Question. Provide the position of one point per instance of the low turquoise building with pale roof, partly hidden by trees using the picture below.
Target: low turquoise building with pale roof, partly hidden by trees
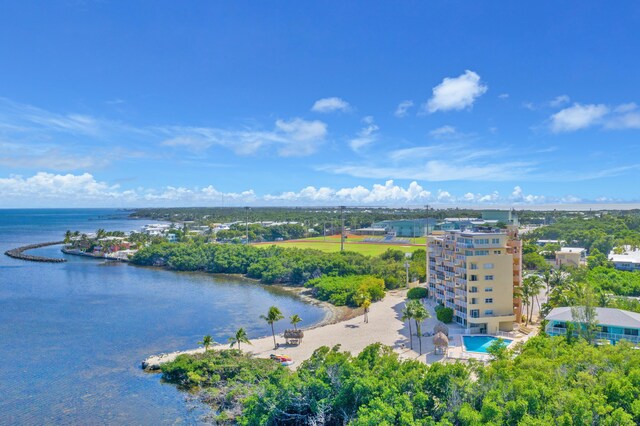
(613, 324)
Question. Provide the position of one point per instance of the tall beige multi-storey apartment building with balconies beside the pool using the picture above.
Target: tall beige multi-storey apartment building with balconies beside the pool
(474, 273)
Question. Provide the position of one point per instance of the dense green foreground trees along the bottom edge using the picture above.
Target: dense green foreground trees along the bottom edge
(546, 381)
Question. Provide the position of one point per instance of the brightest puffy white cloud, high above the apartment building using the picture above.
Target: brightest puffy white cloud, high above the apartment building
(456, 93)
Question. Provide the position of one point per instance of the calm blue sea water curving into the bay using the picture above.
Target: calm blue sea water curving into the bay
(72, 334)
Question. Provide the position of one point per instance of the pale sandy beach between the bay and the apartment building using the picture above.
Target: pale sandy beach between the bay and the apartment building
(352, 334)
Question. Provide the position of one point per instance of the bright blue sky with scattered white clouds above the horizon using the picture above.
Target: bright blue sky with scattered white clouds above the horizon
(298, 103)
